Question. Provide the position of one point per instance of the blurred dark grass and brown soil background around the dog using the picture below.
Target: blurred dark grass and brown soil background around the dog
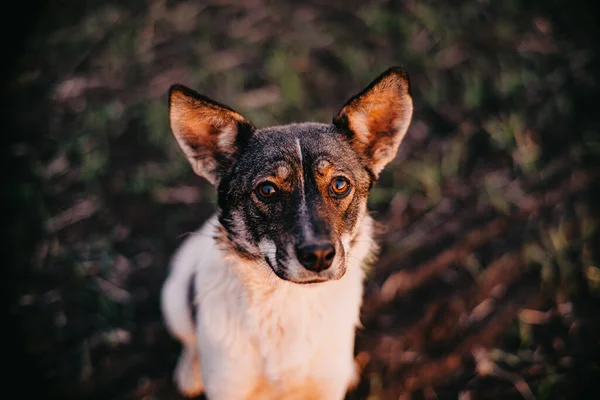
(488, 283)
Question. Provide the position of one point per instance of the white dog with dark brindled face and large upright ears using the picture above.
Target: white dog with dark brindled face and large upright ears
(278, 271)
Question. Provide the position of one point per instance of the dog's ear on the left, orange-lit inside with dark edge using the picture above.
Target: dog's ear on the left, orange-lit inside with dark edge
(210, 134)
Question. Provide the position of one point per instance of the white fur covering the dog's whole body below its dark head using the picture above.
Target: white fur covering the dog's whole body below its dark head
(261, 337)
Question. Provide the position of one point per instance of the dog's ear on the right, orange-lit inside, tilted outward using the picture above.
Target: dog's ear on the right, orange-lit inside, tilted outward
(376, 119)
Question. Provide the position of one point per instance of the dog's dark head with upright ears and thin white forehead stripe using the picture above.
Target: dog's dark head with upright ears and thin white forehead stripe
(293, 196)
